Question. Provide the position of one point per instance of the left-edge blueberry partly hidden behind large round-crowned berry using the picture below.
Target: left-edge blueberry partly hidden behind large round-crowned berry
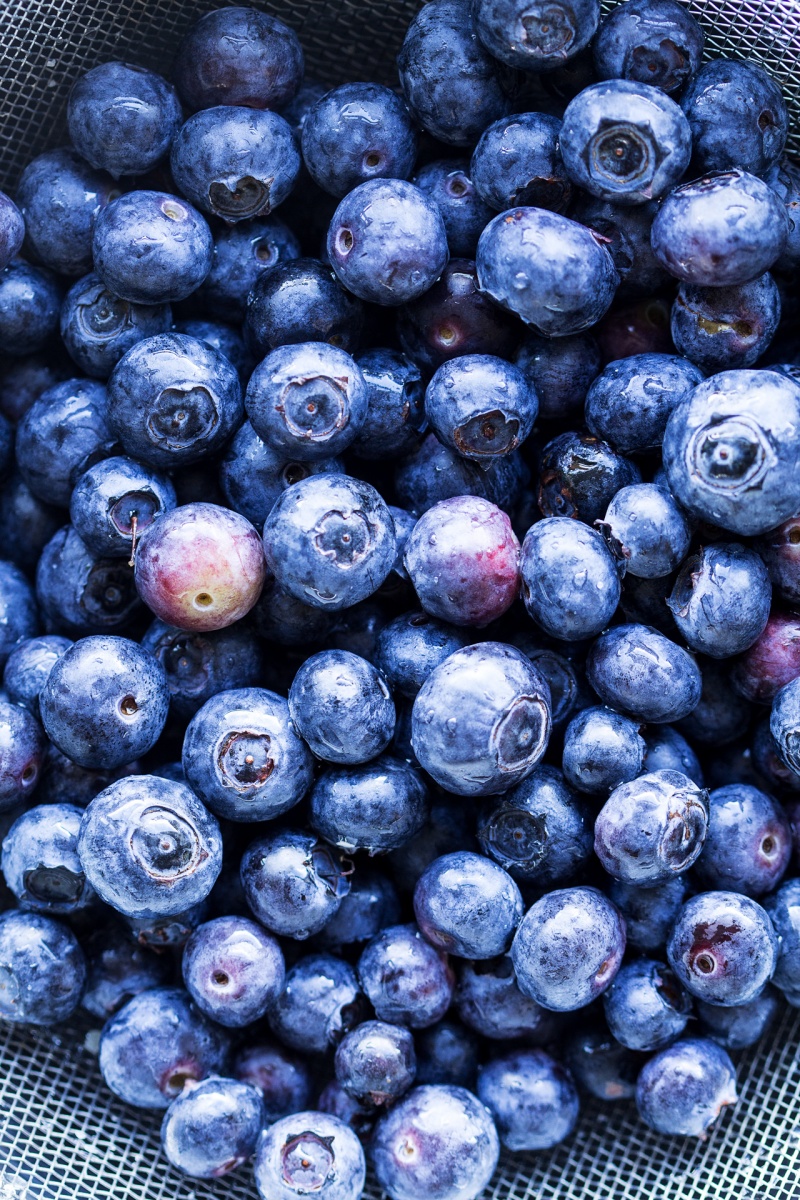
(40, 861)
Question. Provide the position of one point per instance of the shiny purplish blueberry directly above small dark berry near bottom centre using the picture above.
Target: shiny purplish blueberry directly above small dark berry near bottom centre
(406, 980)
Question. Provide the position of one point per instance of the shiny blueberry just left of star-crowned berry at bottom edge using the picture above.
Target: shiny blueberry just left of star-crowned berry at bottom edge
(213, 1127)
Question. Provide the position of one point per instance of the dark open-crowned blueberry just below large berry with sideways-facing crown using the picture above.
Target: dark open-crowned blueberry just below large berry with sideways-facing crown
(538, 831)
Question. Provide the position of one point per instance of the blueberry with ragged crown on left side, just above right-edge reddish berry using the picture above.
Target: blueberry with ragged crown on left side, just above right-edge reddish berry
(721, 599)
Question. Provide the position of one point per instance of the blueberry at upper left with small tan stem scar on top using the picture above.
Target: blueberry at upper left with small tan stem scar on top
(152, 248)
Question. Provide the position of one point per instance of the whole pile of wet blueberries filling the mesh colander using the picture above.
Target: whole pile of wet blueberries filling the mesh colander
(400, 599)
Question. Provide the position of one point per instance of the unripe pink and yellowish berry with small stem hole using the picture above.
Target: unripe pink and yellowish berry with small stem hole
(201, 568)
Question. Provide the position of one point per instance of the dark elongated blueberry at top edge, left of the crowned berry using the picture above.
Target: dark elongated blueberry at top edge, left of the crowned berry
(452, 86)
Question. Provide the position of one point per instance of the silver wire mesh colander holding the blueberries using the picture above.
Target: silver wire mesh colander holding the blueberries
(63, 1135)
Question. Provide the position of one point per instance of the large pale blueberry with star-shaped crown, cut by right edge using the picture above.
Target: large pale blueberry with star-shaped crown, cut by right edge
(731, 449)
